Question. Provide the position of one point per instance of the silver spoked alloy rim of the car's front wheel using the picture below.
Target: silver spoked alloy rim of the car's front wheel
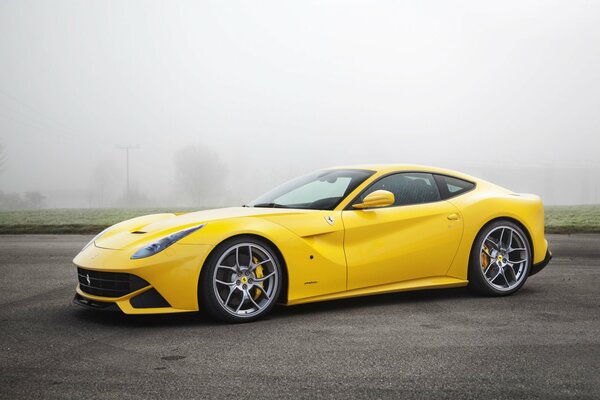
(245, 279)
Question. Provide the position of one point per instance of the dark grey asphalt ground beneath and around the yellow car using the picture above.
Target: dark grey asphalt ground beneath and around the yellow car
(543, 342)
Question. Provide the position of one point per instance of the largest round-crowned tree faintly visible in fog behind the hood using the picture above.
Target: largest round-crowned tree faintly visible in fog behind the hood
(200, 174)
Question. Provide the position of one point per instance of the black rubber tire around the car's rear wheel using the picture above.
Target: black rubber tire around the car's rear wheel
(477, 261)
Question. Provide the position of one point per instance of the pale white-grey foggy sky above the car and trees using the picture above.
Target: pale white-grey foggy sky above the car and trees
(508, 91)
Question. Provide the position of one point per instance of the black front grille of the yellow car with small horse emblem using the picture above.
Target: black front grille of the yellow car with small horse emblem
(108, 284)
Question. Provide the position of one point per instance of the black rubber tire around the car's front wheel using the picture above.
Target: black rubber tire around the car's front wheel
(208, 290)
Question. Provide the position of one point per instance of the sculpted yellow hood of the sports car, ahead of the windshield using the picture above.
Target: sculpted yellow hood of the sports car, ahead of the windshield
(141, 230)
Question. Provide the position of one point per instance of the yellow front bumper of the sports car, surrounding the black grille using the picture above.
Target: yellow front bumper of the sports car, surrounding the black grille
(170, 279)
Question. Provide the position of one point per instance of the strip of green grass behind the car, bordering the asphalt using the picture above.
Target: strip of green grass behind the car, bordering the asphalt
(559, 219)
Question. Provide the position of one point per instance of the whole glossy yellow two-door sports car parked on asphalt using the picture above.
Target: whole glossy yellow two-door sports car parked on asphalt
(336, 233)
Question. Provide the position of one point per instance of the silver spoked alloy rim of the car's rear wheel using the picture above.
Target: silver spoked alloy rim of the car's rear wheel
(504, 257)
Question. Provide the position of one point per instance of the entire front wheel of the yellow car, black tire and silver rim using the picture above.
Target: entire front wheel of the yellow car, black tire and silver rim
(241, 281)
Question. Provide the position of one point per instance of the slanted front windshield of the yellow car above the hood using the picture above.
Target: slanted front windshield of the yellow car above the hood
(321, 190)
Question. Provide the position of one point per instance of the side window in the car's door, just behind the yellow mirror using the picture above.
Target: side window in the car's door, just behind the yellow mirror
(408, 188)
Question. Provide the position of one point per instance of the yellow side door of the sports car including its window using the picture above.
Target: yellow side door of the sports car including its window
(416, 237)
